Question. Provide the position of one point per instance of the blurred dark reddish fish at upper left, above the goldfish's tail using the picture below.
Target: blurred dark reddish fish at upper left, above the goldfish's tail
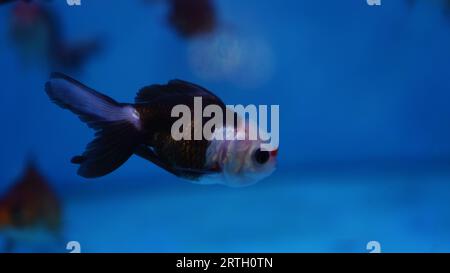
(36, 33)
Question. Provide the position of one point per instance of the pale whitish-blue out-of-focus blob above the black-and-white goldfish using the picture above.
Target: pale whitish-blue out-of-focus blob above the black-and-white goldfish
(230, 56)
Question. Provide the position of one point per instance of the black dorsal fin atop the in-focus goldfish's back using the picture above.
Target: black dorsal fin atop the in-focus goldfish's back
(172, 88)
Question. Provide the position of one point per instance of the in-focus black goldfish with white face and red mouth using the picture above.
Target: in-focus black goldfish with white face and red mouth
(144, 128)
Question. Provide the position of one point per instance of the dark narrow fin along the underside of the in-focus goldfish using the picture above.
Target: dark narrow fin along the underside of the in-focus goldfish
(147, 153)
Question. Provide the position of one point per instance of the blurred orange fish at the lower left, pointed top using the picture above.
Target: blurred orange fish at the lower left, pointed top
(30, 213)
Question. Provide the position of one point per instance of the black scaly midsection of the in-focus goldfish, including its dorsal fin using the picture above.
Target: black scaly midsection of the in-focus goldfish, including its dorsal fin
(155, 113)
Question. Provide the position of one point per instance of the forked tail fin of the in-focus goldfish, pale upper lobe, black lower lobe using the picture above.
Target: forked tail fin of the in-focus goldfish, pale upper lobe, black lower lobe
(117, 125)
